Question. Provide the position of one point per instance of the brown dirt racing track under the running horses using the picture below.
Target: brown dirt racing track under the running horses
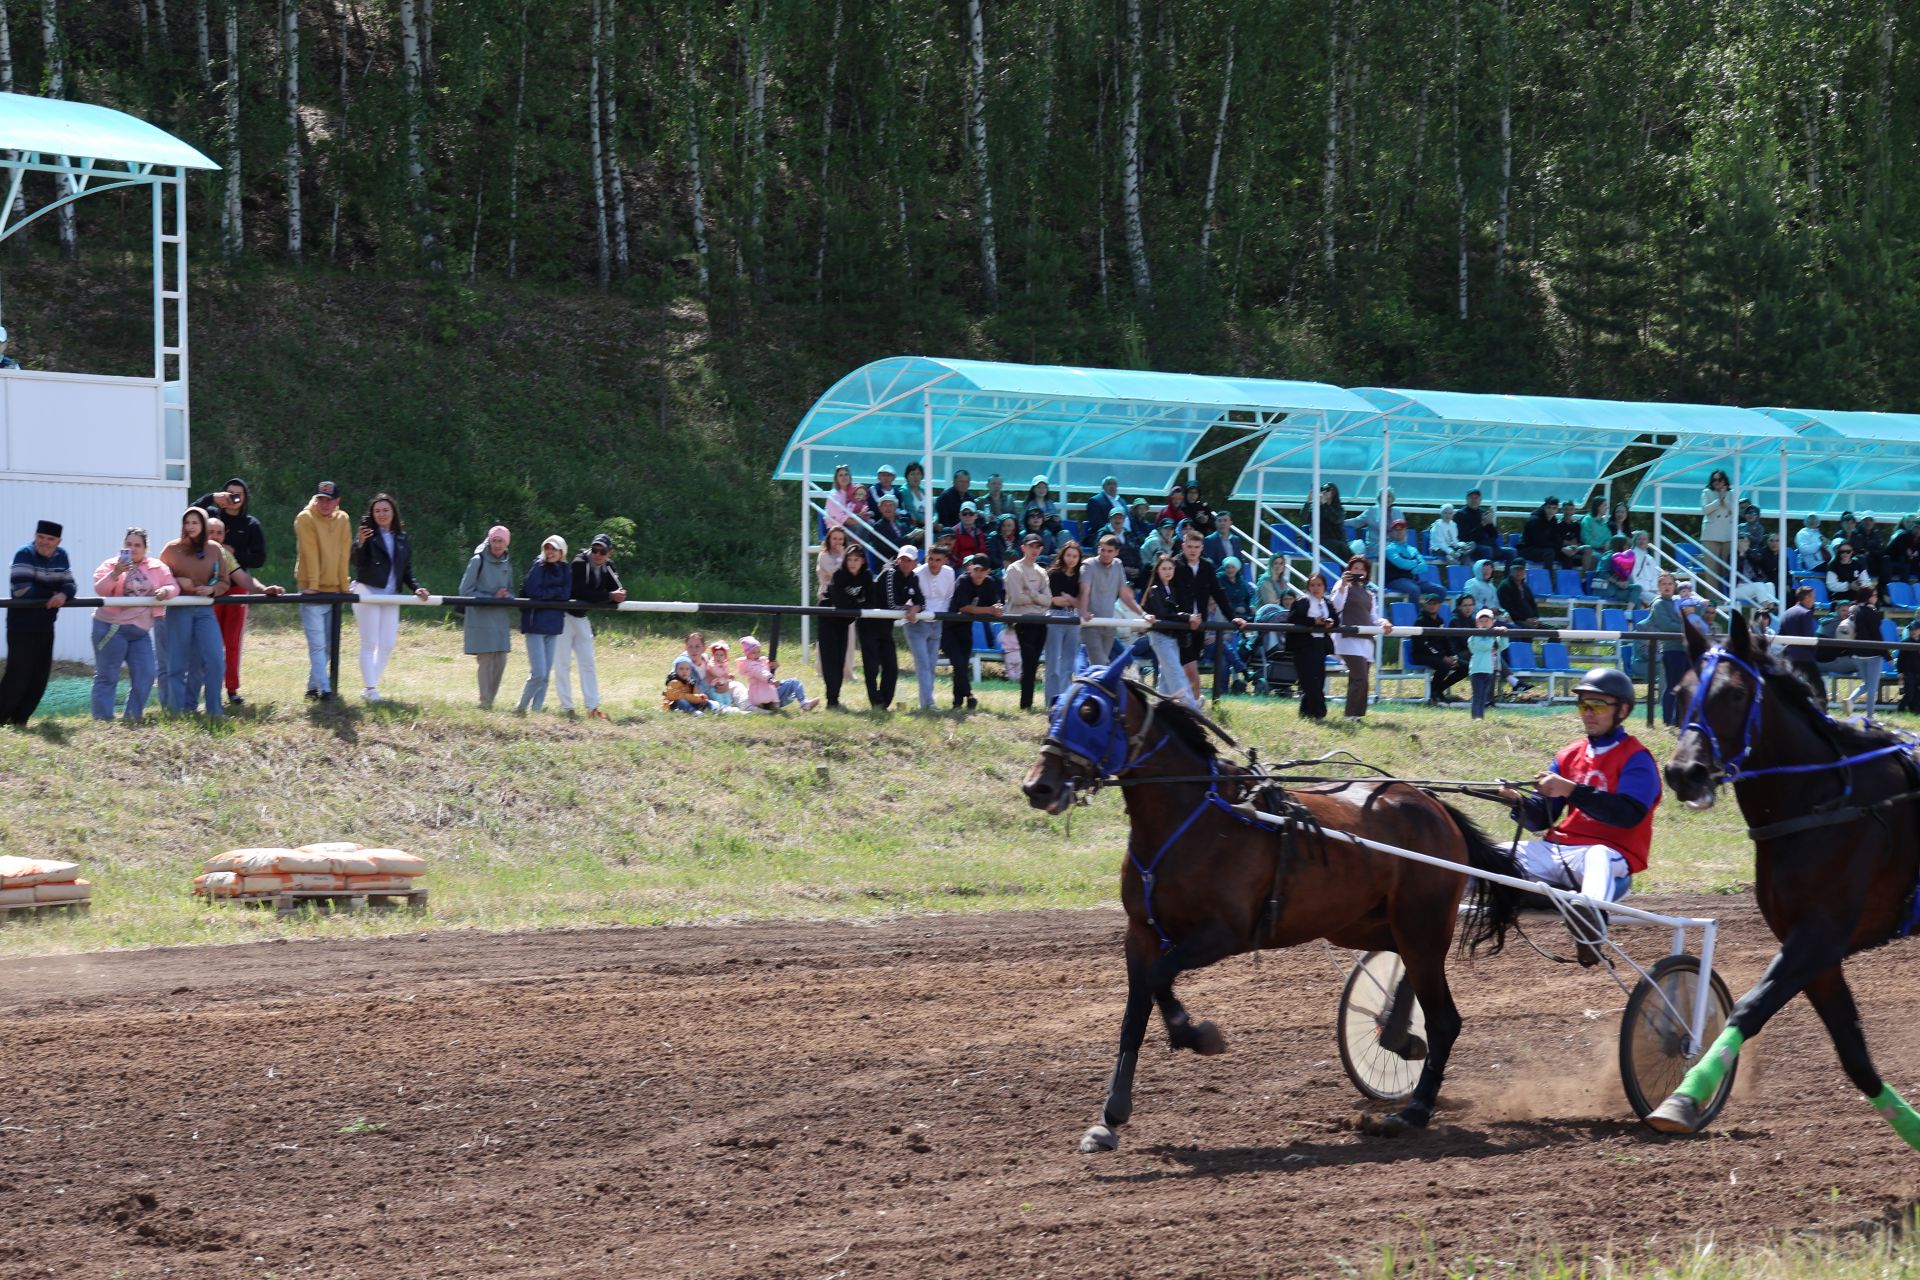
(896, 1101)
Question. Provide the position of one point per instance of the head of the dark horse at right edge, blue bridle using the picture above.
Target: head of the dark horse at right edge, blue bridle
(1723, 705)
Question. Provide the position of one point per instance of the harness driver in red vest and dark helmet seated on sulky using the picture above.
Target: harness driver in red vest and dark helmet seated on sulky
(1595, 805)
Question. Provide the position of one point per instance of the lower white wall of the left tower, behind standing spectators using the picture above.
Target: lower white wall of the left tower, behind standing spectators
(95, 515)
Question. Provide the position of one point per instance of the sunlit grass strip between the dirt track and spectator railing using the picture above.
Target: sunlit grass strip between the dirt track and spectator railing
(648, 818)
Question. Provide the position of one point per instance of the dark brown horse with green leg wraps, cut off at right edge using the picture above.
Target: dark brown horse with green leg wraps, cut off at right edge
(1835, 815)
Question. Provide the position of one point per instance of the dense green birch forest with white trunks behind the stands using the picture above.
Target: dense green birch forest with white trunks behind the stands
(1643, 199)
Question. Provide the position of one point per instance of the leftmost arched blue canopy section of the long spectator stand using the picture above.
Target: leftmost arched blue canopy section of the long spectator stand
(1072, 425)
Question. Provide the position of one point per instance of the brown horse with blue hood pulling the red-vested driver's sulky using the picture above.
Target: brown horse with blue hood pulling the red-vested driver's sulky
(1207, 880)
